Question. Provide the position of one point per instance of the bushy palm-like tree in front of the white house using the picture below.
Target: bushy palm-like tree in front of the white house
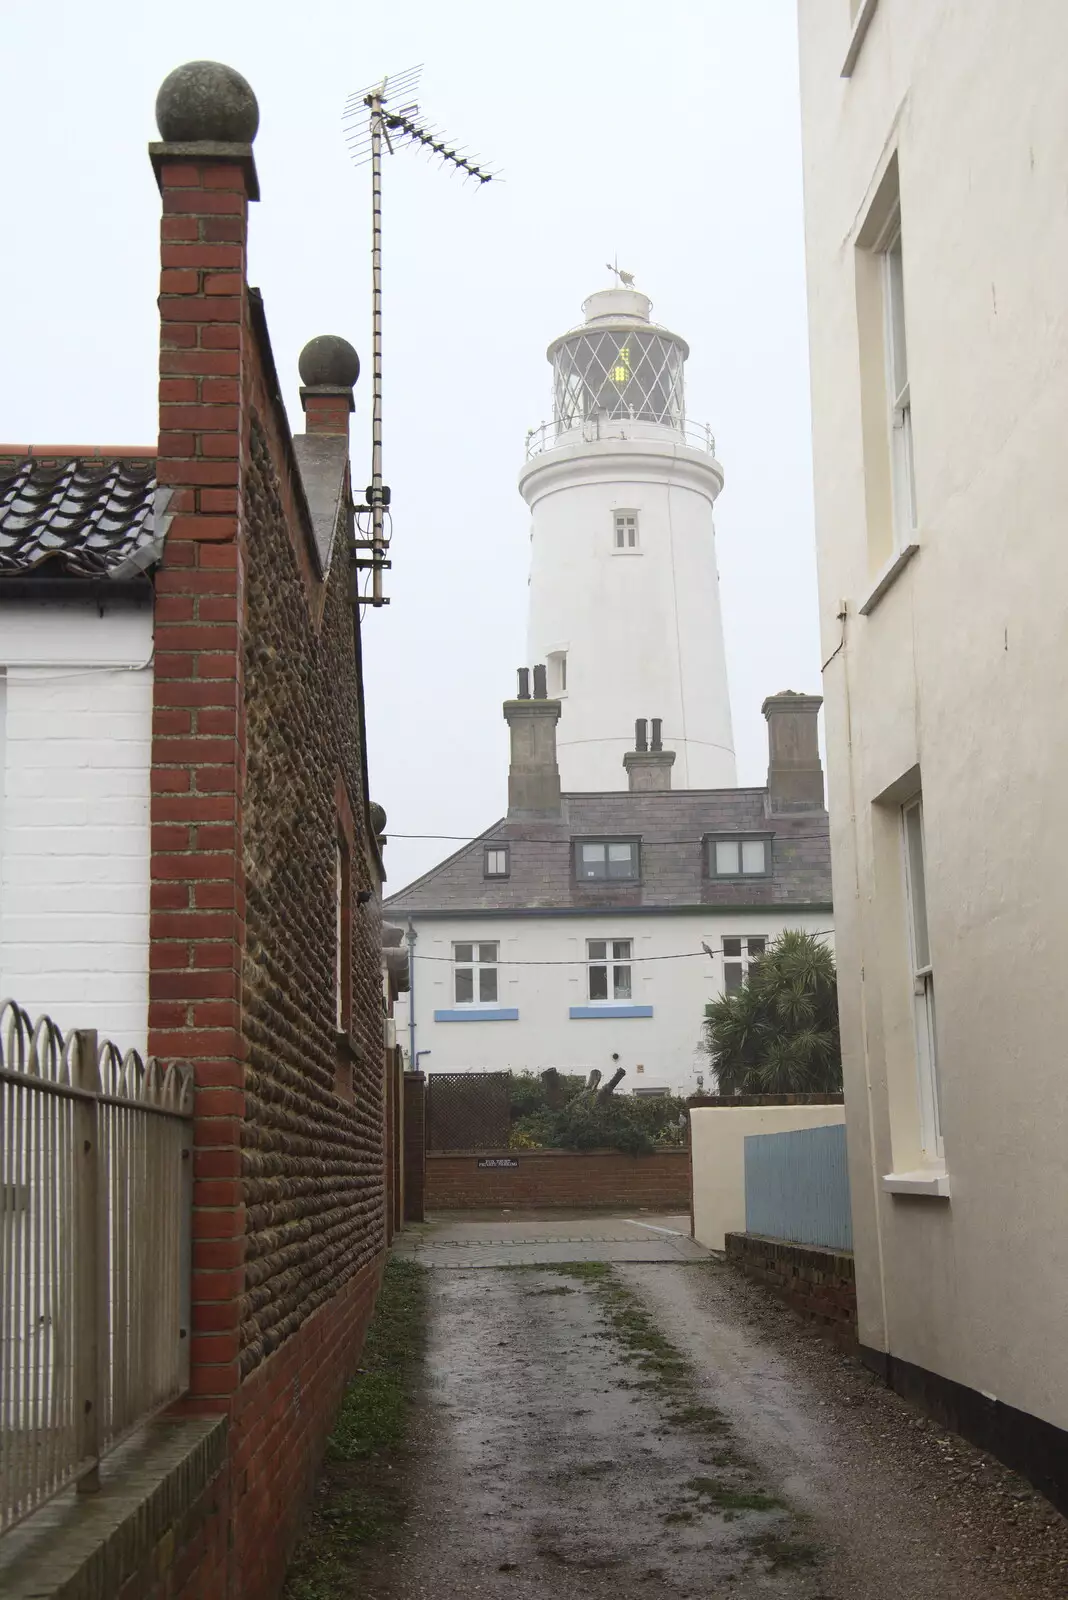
(778, 1034)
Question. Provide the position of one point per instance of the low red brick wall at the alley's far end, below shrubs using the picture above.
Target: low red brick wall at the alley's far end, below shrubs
(576, 1180)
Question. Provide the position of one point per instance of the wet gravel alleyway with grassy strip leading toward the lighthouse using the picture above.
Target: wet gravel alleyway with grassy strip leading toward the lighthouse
(626, 1417)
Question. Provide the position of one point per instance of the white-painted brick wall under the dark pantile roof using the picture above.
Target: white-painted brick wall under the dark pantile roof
(74, 815)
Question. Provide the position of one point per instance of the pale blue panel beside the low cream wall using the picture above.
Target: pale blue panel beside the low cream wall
(797, 1186)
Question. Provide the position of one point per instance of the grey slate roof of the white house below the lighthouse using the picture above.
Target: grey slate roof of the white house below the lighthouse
(672, 828)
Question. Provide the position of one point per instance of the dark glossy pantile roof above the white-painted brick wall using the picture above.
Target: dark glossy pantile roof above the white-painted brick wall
(78, 516)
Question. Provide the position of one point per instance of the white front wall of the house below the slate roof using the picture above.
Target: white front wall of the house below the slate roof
(544, 1036)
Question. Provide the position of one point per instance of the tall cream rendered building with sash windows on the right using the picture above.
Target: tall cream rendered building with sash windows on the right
(936, 150)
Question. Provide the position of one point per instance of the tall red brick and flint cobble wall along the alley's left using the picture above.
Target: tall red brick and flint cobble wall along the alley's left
(258, 778)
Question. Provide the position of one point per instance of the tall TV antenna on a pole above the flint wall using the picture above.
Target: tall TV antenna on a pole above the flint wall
(386, 113)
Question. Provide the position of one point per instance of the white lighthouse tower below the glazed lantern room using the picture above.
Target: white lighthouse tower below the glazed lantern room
(642, 628)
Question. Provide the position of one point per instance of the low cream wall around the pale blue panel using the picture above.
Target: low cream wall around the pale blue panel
(719, 1137)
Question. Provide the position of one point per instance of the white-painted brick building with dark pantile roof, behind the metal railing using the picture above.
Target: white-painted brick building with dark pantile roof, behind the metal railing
(78, 534)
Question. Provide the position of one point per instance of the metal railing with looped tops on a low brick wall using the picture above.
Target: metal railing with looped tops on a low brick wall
(95, 1252)
